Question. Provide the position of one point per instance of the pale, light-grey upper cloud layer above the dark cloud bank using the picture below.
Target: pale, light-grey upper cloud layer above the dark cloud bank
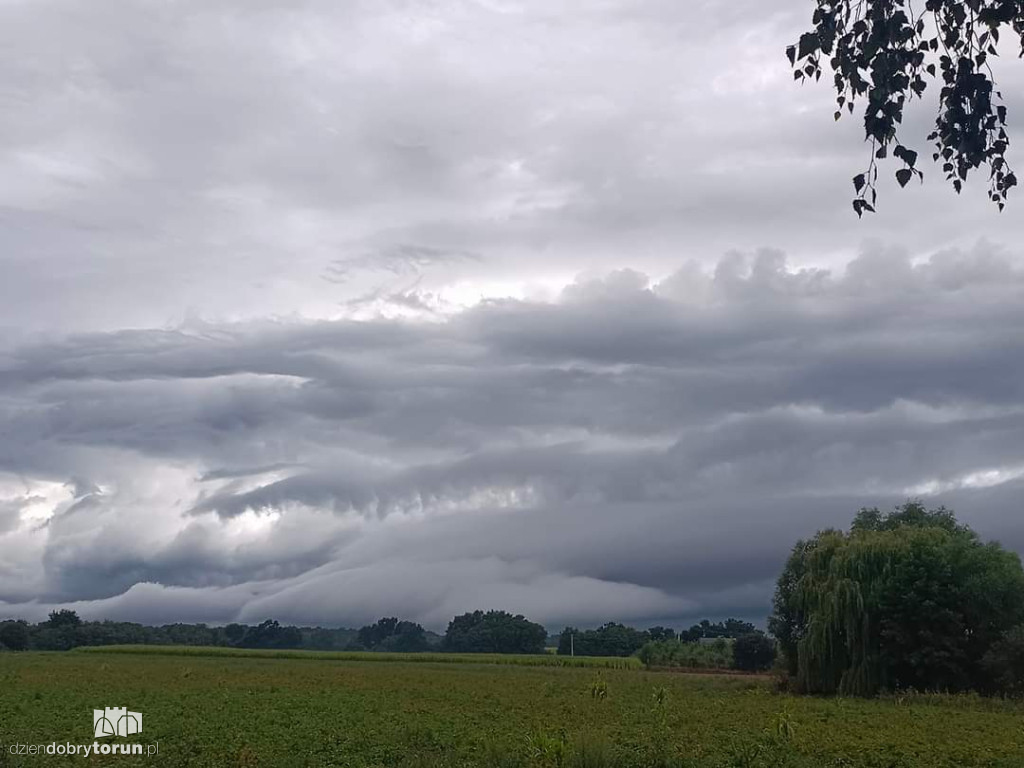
(219, 159)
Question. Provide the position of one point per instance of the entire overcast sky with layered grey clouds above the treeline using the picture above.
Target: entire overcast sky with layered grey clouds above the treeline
(324, 312)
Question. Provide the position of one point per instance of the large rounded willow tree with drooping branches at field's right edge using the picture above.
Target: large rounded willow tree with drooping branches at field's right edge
(906, 601)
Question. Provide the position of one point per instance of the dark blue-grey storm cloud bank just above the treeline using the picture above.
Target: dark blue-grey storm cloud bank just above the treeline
(632, 451)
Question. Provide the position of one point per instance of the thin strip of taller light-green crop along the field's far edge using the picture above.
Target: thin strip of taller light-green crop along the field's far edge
(525, 660)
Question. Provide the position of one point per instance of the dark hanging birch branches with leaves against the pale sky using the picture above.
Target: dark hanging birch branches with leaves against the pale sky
(885, 53)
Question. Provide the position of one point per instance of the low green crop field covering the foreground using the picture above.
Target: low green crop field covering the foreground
(217, 709)
